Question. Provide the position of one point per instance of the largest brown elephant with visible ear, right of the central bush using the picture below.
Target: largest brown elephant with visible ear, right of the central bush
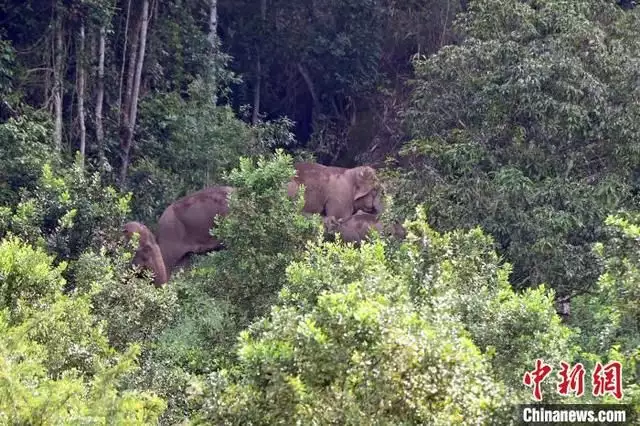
(337, 191)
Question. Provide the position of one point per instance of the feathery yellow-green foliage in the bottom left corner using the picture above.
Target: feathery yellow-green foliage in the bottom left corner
(29, 396)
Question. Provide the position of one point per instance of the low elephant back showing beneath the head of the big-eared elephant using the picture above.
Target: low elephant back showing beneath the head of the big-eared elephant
(356, 227)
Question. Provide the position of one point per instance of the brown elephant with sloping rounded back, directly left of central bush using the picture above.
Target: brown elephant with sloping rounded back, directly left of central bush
(185, 225)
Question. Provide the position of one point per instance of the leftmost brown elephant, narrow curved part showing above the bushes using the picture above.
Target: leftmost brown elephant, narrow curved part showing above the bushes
(148, 254)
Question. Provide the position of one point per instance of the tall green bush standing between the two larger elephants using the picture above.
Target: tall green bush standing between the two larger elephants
(264, 231)
